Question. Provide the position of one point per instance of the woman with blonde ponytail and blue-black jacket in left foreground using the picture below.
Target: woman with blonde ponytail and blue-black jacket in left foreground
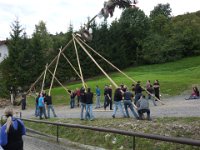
(12, 132)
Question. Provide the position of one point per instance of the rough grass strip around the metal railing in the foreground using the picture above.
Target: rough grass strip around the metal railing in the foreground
(168, 126)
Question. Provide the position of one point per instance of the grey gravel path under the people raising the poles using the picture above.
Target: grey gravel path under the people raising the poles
(174, 107)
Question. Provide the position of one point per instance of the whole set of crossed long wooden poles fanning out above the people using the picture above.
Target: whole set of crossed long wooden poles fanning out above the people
(75, 40)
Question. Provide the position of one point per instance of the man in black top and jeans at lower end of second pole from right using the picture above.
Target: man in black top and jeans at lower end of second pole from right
(117, 102)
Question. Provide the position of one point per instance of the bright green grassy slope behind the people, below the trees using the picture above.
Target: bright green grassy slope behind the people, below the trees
(174, 78)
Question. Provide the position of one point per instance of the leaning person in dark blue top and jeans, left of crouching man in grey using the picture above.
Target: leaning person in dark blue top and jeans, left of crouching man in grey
(128, 98)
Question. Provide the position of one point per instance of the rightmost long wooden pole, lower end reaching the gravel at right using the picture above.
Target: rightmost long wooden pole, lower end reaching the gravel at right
(118, 69)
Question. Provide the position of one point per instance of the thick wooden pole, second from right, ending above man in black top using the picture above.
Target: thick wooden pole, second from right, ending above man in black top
(95, 62)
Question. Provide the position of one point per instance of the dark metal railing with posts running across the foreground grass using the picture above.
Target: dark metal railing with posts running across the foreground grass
(185, 141)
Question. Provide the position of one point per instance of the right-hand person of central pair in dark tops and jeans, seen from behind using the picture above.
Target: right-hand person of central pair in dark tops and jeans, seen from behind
(89, 102)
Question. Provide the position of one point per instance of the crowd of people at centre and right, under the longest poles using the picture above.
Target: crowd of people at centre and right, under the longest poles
(122, 99)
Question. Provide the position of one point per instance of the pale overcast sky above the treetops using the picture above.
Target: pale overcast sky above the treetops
(58, 14)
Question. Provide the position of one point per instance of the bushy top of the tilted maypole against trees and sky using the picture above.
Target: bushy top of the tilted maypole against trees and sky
(85, 33)
